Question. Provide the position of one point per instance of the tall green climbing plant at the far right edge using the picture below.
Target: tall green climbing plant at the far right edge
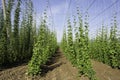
(114, 45)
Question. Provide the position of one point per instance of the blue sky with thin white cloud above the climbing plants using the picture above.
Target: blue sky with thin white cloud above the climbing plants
(59, 9)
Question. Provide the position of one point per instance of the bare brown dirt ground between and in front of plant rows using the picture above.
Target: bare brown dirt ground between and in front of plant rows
(59, 68)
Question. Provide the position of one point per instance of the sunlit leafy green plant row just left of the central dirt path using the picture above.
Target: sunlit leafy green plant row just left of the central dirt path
(44, 48)
